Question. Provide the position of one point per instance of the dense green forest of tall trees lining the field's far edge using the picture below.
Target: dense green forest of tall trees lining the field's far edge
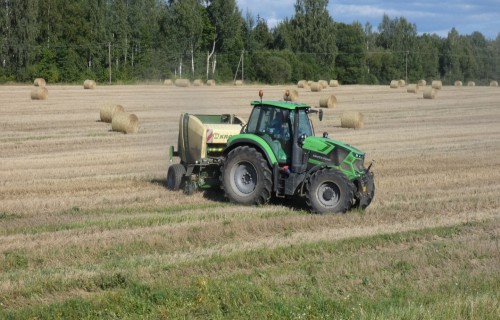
(127, 41)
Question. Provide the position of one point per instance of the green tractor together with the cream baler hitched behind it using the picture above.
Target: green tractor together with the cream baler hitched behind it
(274, 154)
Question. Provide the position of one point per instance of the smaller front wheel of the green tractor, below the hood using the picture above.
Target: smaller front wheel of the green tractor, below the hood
(329, 191)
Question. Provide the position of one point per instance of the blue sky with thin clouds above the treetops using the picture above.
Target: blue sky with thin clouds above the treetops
(430, 16)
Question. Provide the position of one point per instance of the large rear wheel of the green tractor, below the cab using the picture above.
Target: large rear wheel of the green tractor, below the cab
(246, 177)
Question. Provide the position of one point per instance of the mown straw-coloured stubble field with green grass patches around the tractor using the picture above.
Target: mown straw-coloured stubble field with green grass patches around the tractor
(88, 229)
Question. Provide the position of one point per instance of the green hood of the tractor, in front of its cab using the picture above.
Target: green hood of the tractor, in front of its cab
(329, 151)
